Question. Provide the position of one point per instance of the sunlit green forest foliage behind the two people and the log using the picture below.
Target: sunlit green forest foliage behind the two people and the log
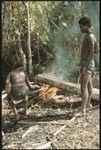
(55, 35)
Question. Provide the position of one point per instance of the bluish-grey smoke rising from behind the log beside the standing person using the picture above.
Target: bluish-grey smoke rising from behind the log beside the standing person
(67, 36)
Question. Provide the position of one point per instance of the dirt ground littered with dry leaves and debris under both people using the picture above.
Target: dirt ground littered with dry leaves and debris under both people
(44, 119)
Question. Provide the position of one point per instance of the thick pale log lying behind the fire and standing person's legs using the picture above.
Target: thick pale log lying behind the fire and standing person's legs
(67, 86)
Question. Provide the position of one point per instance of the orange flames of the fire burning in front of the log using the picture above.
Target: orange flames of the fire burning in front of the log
(47, 92)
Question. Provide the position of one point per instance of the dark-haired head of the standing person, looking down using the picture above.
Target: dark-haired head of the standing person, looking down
(85, 24)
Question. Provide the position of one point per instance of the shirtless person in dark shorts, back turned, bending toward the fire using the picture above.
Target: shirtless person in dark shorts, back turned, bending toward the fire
(17, 86)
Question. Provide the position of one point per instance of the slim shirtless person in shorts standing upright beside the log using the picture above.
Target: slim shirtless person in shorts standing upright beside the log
(86, 64)
